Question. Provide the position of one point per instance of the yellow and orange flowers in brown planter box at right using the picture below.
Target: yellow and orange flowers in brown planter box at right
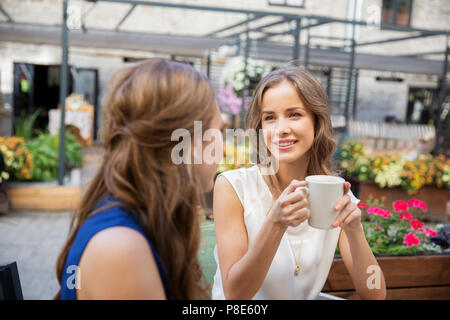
(396, 176)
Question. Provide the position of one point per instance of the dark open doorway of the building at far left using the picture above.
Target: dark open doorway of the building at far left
(37, 87)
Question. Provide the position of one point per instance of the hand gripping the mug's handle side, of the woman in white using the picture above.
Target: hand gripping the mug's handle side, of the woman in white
(291, 207)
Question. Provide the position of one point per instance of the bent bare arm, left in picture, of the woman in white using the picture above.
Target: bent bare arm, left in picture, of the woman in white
(244, 268)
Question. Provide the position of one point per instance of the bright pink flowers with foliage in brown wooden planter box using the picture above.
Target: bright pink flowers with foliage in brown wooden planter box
(413, 264)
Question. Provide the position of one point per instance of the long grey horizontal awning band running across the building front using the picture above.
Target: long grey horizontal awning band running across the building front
(201, 46)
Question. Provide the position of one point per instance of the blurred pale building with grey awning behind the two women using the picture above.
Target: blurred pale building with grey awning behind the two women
(382, 81)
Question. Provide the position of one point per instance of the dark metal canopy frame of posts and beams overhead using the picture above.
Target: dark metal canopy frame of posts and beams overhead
(239, 36)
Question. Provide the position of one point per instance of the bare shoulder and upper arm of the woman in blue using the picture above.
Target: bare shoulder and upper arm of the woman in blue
(118, 263)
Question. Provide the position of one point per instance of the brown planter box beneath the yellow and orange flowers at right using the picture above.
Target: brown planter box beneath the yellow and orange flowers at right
(435, 198)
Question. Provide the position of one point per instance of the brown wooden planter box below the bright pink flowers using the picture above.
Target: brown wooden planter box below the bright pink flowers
(420, 277)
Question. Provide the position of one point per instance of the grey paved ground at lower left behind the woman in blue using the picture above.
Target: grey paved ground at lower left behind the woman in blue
(34, 239)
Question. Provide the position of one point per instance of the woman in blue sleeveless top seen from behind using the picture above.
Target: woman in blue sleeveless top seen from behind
(135, 234)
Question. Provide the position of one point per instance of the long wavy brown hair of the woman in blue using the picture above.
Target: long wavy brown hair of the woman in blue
(145, 103)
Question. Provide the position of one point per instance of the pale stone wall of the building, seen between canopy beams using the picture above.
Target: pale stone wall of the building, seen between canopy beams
(375, 99)
